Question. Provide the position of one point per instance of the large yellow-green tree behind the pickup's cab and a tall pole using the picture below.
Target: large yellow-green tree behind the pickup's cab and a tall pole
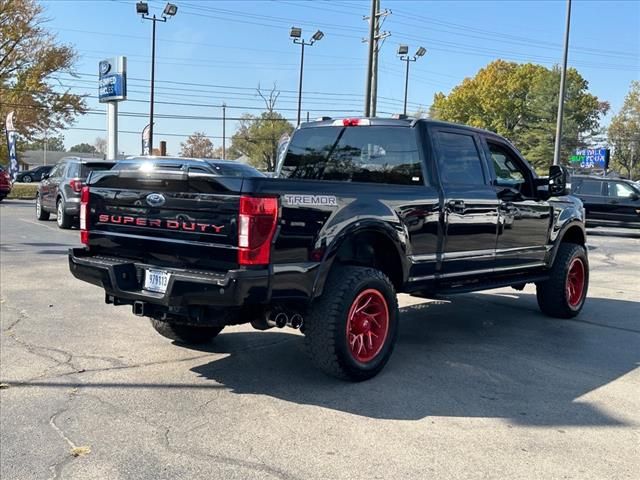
(519, 101)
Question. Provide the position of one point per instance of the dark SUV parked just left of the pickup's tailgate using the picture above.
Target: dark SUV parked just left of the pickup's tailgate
(59, 190)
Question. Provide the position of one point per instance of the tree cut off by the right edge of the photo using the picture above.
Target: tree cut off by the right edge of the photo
(624, 134)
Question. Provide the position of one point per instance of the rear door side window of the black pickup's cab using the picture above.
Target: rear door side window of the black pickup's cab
(458, 159)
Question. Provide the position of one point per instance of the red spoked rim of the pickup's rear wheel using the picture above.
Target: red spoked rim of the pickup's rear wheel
(367, 325)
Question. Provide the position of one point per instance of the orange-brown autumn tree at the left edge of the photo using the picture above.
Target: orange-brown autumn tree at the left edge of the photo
(29, 57)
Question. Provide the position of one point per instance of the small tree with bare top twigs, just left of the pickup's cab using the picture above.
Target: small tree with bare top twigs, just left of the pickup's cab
(257, 137)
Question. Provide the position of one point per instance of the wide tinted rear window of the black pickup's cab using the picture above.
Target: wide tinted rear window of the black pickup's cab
(373, 154)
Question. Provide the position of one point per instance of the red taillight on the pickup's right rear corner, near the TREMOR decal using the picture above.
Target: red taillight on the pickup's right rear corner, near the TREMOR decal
(257, 224)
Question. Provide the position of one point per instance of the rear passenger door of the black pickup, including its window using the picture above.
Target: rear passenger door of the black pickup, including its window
(470, 204)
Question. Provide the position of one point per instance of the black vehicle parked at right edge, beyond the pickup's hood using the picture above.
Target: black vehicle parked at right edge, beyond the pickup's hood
(608, 201)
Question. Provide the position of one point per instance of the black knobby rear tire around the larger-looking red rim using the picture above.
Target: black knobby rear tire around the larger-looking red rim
(326, 323)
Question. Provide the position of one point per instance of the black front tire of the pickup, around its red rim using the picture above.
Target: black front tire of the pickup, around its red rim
(553, 295)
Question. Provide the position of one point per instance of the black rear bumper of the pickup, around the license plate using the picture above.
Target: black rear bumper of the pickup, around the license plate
(123, 280)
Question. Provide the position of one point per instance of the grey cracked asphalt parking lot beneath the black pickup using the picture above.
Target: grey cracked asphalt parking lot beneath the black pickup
(482, 386)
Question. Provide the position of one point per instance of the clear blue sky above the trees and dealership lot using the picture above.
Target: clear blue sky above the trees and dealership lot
(223, 49)
